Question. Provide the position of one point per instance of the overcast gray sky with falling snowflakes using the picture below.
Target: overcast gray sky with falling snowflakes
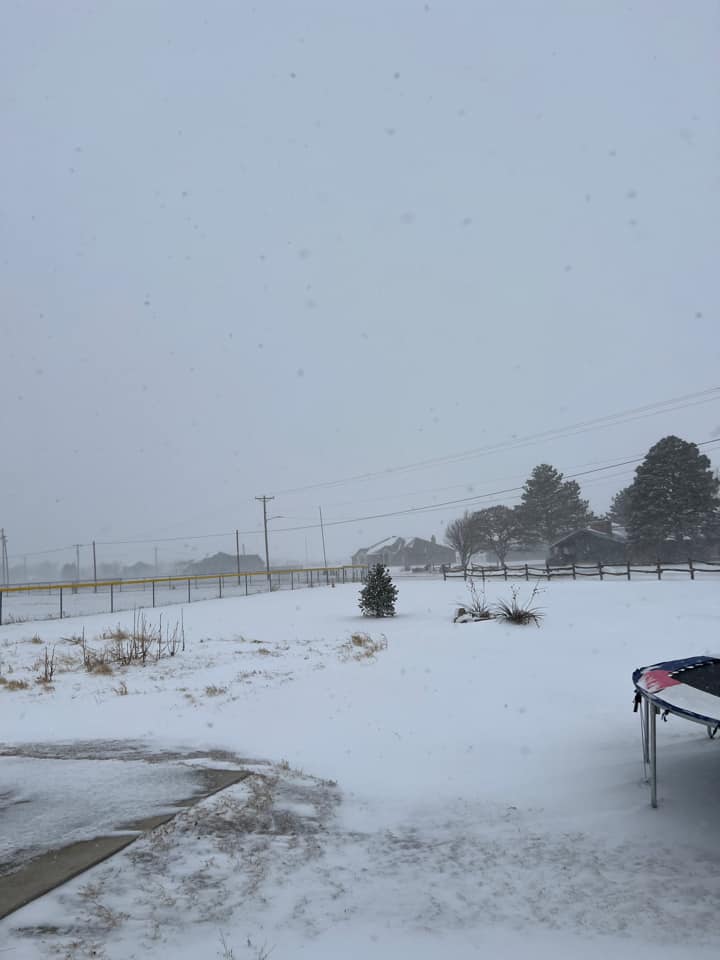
(249, 248)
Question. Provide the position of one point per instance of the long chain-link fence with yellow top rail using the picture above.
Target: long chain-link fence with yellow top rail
(46, 601)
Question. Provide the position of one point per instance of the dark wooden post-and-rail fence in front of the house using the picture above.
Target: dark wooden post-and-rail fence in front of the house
(694, 569)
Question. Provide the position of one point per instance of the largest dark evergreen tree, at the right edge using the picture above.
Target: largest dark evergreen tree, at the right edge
(673, 495)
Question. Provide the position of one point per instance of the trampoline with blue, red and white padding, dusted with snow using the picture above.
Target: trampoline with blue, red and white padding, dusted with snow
(688, 688)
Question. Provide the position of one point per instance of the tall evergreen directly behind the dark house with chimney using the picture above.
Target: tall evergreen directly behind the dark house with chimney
(550, 506)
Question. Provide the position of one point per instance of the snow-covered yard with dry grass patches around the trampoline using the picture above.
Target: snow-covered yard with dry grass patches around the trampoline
(472, 790)
